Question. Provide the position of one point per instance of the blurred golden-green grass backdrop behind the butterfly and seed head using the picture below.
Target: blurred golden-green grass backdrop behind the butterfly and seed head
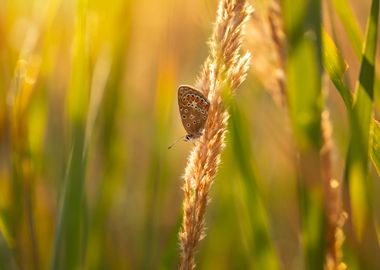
(87, 110)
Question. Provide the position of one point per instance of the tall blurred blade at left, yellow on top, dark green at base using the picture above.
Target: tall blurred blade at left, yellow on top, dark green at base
(68, 245)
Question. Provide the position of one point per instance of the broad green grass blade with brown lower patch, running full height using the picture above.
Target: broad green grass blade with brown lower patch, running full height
(304, 68)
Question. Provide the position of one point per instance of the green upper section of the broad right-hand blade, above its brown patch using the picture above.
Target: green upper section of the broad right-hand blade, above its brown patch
(304, 73)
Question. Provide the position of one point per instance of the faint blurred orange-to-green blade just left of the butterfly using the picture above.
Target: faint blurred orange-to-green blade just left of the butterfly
(157, 183)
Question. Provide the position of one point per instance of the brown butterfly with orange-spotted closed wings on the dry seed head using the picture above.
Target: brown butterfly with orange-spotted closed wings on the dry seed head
(193, 110)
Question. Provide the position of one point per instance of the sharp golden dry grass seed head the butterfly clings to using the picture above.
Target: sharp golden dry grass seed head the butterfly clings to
(224, 68)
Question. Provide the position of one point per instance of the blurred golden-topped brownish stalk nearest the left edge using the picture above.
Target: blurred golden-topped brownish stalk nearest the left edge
(23, 86)
